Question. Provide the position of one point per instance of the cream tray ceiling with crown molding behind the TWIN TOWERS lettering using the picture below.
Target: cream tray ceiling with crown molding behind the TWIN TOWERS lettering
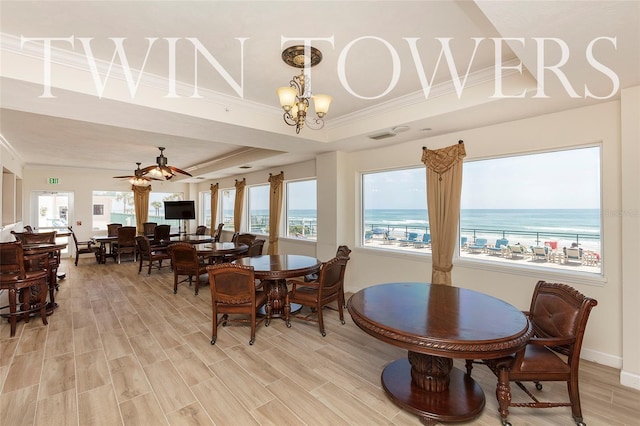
(237, 121)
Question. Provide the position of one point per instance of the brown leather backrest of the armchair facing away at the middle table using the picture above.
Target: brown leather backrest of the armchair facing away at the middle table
(232, 284)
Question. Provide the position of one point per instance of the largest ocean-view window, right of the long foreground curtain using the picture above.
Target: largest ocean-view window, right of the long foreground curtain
(535, 207)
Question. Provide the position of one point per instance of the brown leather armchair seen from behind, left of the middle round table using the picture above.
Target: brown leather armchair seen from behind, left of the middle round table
(233, 291)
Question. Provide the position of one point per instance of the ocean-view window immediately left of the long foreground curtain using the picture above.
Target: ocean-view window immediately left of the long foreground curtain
(395, 210)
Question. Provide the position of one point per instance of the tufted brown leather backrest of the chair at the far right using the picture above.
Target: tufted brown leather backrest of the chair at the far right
(560, 311)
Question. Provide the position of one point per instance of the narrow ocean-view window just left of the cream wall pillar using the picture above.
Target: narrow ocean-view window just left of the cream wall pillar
(301, 199)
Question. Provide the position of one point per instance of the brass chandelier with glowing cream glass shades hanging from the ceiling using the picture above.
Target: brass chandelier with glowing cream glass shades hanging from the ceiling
(294, 99)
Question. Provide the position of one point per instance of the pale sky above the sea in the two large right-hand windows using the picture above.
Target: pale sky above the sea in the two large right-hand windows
(551, 180)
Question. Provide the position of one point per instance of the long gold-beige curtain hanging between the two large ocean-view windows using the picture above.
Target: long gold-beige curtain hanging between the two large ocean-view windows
(444, 186)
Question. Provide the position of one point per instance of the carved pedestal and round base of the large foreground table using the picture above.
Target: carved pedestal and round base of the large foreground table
(430, 387)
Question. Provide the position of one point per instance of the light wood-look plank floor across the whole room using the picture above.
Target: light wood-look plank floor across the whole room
(123, 349)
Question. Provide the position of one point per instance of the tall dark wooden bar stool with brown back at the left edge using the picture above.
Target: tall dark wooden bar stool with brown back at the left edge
(27, 287)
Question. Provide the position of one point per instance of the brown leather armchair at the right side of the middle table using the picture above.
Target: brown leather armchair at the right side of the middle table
(317, 294)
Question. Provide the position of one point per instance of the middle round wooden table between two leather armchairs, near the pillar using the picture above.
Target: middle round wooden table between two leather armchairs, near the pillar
(274, 270)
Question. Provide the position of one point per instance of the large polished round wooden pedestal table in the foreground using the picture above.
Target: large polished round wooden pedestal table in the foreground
(437, 323)
